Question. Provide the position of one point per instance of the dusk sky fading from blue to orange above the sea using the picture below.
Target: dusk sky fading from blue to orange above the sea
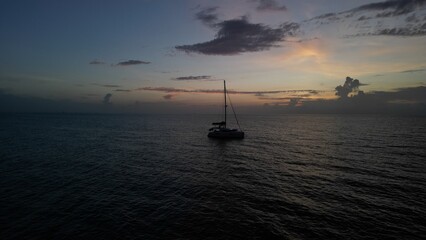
(171, 56)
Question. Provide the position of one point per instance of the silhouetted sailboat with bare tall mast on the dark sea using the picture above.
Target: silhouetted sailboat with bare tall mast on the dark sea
(220, 130)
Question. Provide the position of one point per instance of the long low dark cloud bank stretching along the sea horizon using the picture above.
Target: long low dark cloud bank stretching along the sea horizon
(411, 101)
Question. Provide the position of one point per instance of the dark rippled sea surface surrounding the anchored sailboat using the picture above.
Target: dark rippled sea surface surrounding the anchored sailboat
(160, 177)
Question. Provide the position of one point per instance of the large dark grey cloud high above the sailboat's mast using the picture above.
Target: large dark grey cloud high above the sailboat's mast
(239, 36)
